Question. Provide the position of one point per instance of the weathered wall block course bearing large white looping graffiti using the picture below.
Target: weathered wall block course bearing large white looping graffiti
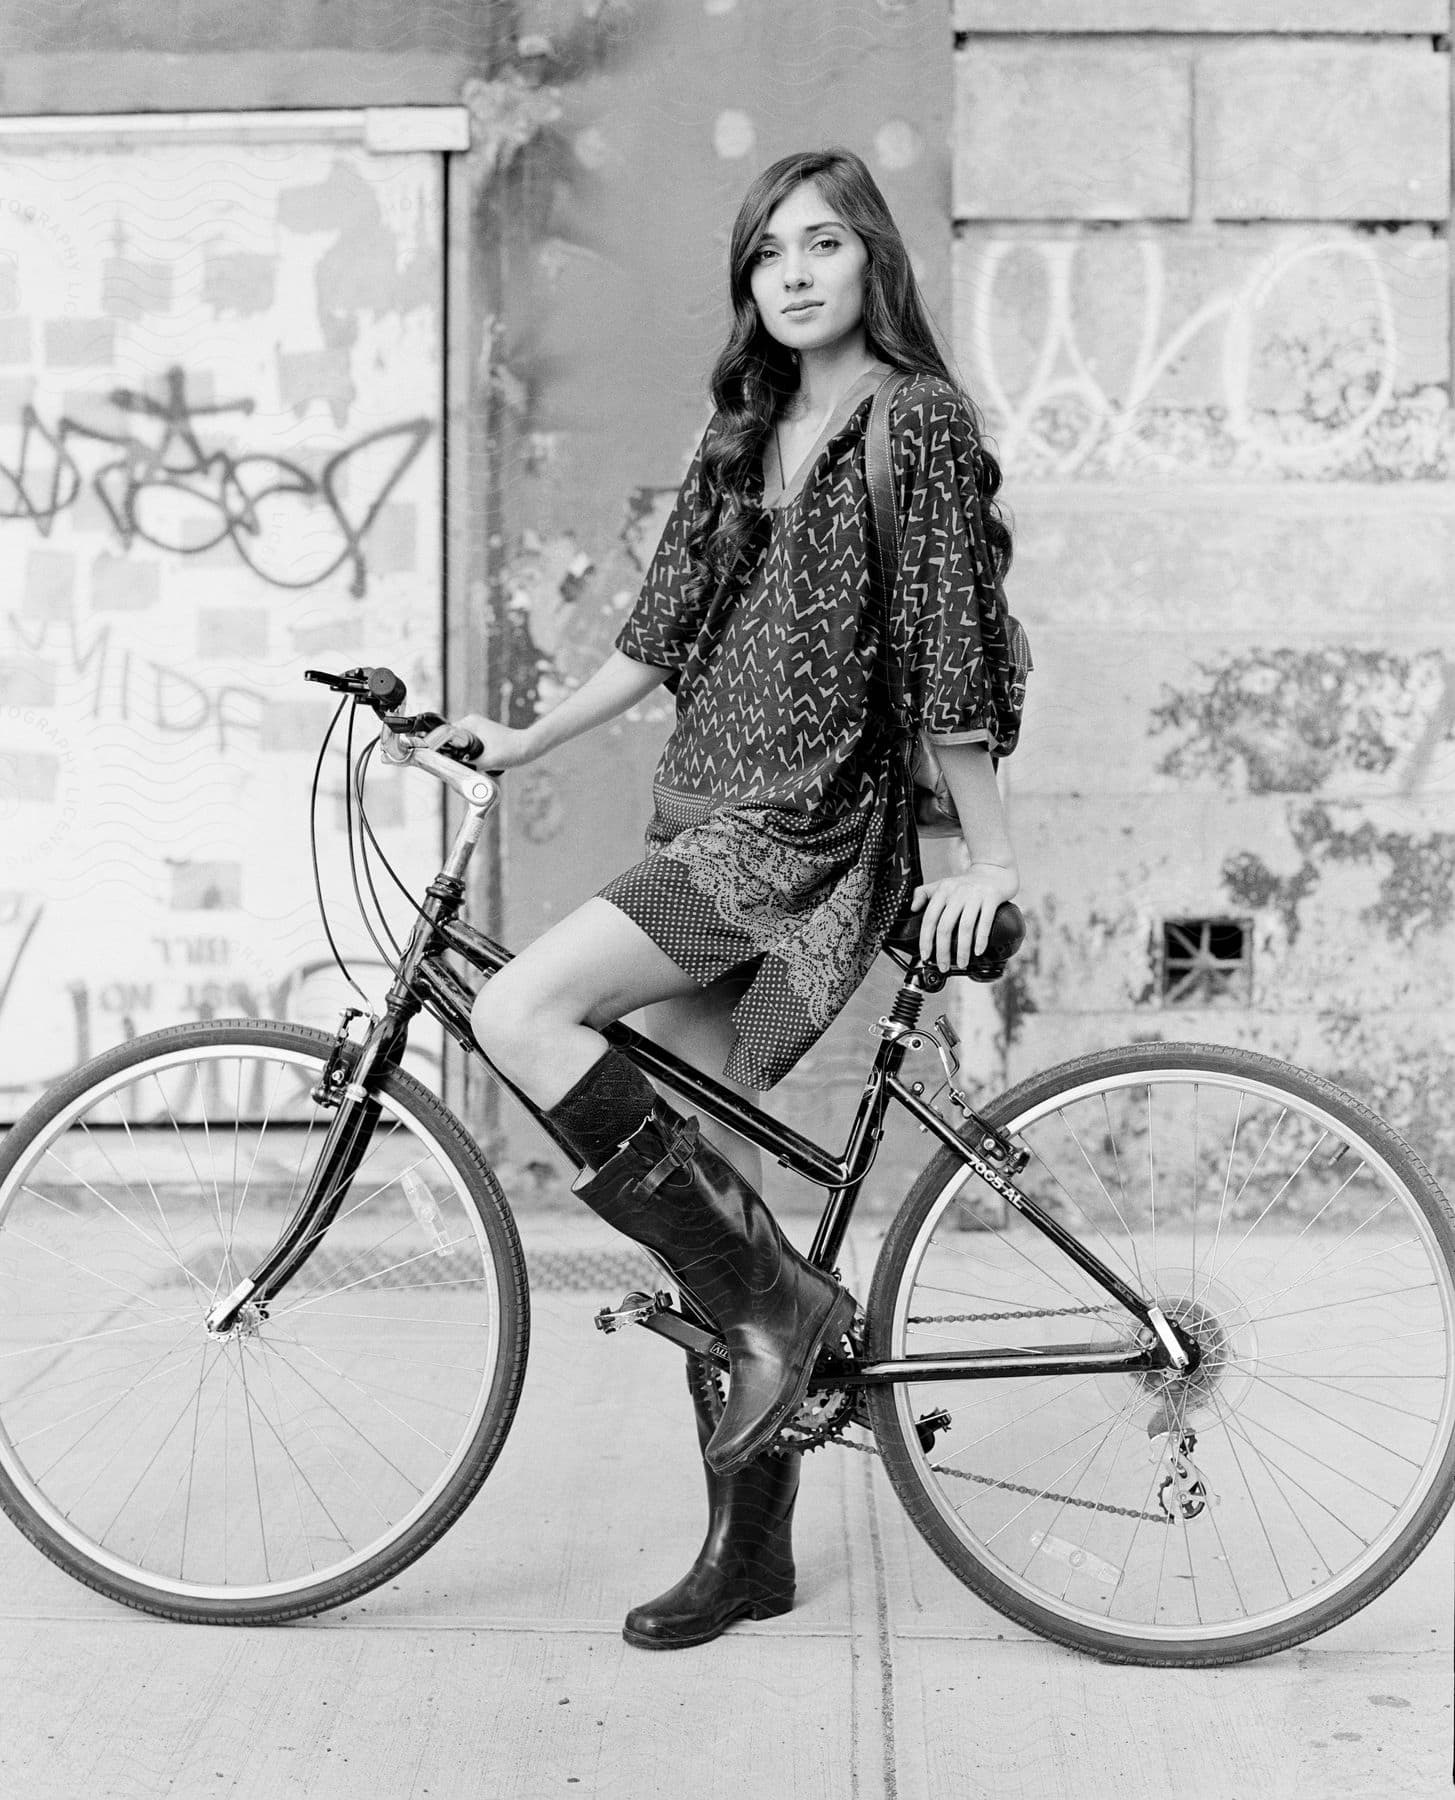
(1308, 364)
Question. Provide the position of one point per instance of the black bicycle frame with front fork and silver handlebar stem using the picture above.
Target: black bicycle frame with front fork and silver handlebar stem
(426, 982)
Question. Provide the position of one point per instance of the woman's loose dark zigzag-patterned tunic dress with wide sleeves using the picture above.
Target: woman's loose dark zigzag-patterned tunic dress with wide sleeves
(781, 836)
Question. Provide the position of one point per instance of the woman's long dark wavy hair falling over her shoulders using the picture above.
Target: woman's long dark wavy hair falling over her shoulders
(755, 375)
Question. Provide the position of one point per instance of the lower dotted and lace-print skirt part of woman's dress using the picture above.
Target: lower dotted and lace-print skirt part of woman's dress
(802, 897)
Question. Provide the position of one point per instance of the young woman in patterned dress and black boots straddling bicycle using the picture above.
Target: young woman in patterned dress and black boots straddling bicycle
(781, 845)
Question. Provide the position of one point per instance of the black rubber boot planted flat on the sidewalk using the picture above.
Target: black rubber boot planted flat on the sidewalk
(745, 1569)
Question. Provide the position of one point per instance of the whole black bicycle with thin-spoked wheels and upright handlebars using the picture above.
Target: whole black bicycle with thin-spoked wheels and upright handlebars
(266, 1311)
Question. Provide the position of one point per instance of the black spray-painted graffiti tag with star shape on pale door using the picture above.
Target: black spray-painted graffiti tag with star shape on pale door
(248, 501)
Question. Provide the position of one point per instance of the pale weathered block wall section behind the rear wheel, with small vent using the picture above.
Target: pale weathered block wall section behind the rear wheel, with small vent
(1202, 291)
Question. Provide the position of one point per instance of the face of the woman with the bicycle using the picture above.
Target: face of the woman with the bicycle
(808, 274)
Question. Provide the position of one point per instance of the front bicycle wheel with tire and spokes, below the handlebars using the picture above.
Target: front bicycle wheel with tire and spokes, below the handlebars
(366, 1441)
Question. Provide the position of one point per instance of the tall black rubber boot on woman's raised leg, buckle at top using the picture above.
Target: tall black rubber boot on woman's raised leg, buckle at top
(671, 1192)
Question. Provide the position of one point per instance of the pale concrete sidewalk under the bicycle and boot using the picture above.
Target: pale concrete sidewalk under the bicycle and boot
(496, 1666)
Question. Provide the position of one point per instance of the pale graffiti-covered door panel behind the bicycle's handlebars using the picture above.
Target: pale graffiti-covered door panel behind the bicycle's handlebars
(219, 467)
